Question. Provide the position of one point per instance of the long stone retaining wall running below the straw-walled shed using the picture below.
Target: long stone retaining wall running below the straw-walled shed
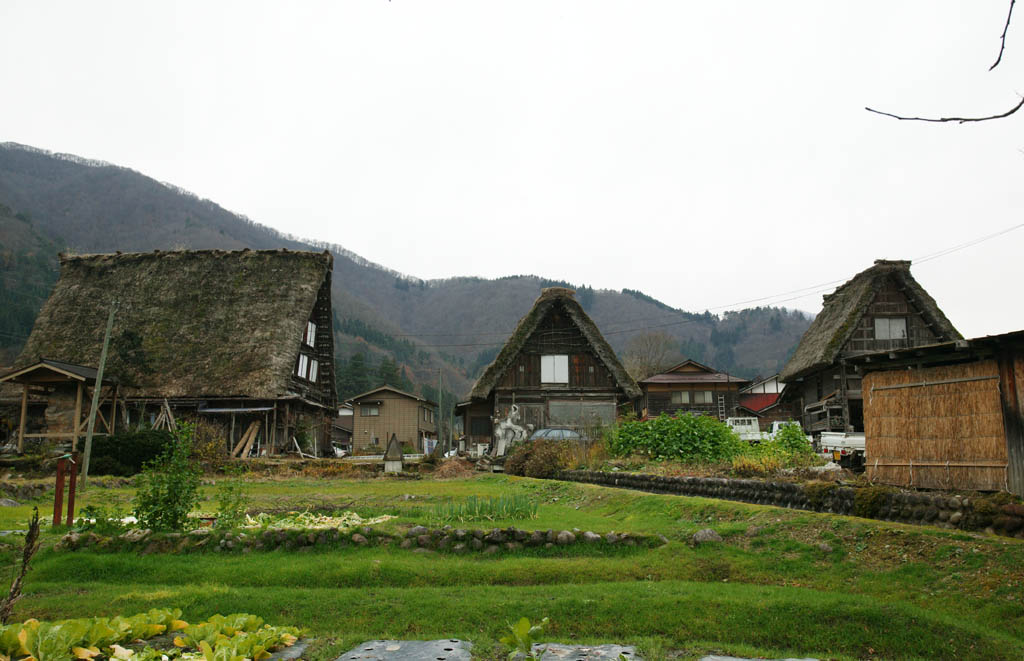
(992, 514)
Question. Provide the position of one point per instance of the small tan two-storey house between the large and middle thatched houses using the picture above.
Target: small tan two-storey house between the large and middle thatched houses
(385, 413)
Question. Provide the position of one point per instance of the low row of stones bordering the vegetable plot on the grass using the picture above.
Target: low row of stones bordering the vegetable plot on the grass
(417, 540)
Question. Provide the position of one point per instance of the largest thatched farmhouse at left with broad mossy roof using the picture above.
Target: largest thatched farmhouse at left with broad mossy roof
(239, 341)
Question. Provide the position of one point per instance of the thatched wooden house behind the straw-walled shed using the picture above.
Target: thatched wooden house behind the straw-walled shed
(882, 309)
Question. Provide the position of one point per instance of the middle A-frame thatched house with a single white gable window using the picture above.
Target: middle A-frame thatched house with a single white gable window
(557, 370)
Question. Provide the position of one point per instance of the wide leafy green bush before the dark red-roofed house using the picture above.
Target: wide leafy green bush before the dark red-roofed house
(692, 439)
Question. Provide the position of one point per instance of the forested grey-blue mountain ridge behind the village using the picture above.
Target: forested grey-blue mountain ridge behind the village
(452, 325)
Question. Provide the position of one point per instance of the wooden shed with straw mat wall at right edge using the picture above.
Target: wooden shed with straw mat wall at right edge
(948, 416)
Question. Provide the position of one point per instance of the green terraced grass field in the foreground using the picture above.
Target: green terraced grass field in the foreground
(784, 583)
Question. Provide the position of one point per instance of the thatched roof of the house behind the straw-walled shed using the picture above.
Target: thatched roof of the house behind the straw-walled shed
(823, 343)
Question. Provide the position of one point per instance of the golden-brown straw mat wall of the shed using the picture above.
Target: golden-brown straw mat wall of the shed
(936, 435)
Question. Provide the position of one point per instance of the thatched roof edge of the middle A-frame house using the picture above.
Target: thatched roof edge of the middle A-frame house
(556, 296)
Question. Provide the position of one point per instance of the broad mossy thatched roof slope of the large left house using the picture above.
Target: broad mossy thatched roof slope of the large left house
(189, 324)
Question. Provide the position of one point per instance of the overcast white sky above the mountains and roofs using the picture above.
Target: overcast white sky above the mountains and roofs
(704, 153)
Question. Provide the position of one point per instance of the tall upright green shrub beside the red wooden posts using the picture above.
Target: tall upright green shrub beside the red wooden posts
(168, 487)
